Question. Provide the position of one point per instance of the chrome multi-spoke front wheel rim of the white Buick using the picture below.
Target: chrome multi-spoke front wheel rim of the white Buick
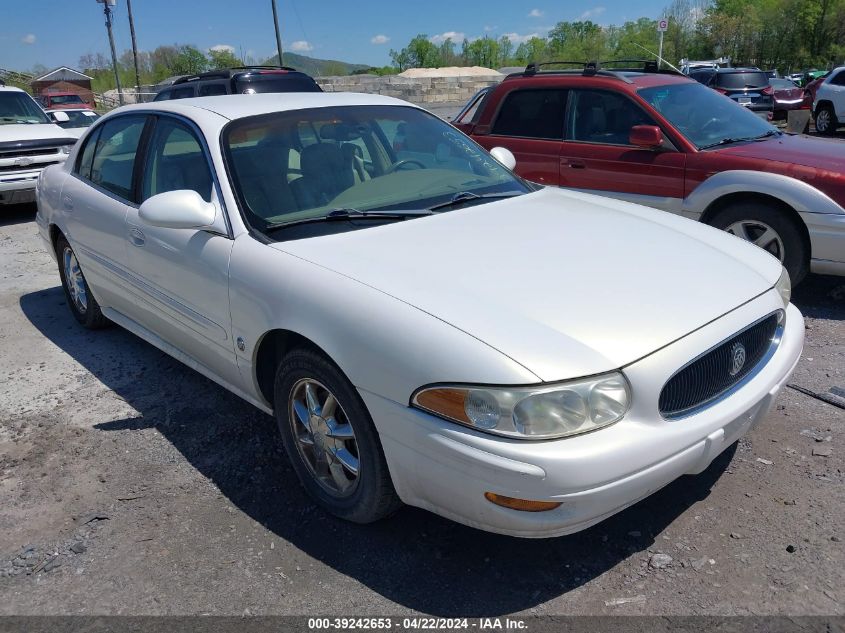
(324, 437)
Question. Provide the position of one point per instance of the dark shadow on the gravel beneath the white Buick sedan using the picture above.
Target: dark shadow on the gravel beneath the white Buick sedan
(414, 558)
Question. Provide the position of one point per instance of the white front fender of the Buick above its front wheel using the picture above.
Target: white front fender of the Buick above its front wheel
(383, 345)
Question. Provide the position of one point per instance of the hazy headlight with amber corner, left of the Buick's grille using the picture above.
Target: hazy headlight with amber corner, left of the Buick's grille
(531, 413)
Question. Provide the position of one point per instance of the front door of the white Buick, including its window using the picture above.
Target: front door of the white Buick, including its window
(181, 276)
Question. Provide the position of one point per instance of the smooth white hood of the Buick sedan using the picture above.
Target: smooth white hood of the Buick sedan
(566, 284)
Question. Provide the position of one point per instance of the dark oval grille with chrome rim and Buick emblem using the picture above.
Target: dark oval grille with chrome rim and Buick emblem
(715, 372)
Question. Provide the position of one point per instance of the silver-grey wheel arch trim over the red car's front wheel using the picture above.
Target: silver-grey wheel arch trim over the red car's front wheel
(797, 194)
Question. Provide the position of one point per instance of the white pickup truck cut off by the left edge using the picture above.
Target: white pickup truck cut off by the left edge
(29, 141)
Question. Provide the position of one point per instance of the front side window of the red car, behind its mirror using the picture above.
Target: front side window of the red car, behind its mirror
(604, 117)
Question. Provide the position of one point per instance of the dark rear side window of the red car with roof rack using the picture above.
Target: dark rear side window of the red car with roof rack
(532, 114)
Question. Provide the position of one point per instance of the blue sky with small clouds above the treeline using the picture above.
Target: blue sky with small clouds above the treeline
(57, 32)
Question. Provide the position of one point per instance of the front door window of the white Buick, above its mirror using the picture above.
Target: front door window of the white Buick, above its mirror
(175, 160)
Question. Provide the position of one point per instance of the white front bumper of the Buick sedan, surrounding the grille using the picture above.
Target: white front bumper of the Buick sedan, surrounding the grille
(446, 468)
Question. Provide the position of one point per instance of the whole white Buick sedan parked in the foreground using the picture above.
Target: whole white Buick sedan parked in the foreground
(426, 327)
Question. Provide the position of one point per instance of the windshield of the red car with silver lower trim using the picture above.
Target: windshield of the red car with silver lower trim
(704, 116)
